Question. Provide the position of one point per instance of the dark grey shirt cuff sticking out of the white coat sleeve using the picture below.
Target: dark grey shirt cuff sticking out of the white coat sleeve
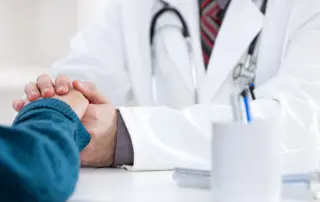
(124, 150)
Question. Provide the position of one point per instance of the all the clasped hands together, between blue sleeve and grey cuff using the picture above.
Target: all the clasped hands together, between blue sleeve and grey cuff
(96, 113)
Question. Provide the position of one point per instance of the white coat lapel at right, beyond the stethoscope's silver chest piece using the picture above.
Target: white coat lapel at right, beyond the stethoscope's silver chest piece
(271, 48)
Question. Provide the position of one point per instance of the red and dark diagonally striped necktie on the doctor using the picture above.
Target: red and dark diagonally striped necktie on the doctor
(210, 24)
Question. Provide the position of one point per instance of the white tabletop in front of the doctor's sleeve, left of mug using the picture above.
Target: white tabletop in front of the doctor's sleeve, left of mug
(114, 185)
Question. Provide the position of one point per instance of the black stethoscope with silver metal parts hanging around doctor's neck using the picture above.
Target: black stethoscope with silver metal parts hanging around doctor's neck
(243, 71)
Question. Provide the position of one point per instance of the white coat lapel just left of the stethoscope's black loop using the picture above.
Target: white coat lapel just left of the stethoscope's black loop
(136, 19)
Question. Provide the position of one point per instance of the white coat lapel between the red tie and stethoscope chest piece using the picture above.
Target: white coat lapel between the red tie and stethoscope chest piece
(242, 23)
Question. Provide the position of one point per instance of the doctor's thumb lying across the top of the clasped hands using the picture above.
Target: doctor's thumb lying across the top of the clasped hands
(90, 91)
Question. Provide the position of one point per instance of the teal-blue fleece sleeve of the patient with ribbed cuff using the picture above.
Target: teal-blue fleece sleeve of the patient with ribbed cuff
(39, 154)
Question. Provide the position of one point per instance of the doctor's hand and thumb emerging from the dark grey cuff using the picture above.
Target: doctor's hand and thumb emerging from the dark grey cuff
(100, 120)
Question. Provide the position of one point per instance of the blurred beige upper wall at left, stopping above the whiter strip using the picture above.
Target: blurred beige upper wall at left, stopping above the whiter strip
(37, 32)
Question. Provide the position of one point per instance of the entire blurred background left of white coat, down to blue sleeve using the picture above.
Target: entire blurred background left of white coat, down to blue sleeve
(34, 34)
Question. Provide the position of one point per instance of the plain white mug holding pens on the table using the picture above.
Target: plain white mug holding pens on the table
(246, 162)
